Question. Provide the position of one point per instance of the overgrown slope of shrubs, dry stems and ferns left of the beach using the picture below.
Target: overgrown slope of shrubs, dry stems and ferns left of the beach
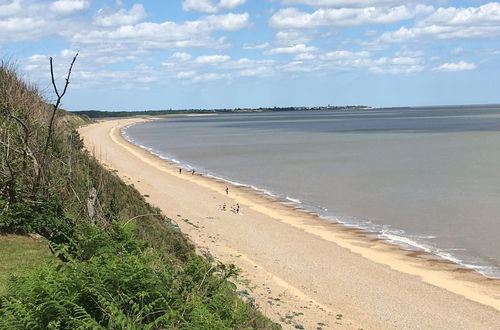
(116, 261)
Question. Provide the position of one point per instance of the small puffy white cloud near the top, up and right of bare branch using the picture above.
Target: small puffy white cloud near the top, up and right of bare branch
(108, 18)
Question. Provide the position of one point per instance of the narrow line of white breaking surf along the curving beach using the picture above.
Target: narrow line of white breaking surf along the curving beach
(403, 242)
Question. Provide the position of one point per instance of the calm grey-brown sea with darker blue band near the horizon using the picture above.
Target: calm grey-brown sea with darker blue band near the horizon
(424, 178)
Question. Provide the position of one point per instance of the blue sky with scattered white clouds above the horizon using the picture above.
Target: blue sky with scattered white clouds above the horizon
(183, 54)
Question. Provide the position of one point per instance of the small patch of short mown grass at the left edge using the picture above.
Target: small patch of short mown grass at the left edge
(18, 253)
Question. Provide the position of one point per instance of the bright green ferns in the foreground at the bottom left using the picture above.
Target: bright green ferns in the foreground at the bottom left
(117, 281)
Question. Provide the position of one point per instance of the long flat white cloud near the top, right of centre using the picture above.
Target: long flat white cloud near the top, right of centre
(293, 18)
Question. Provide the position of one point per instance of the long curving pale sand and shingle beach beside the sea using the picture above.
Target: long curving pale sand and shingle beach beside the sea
(299, 269)
